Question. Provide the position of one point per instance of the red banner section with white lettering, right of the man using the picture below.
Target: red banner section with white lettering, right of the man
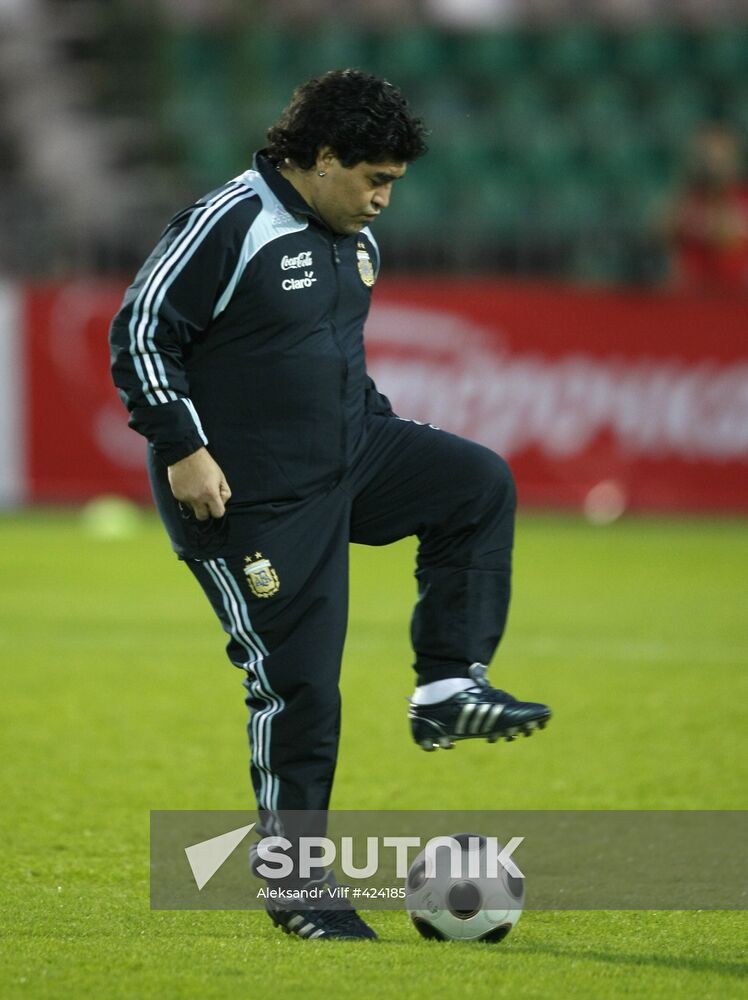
(618, 398)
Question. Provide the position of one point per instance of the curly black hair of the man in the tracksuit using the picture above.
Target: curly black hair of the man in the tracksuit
(359, 116)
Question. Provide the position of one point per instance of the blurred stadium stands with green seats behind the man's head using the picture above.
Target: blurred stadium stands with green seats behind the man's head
(554, 146)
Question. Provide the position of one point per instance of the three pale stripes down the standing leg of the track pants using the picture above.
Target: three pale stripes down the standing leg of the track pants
(241, 629)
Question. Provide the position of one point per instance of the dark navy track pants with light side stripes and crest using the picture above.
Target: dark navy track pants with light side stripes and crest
(277, 577)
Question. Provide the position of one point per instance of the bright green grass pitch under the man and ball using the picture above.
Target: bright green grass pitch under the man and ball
(117, 698)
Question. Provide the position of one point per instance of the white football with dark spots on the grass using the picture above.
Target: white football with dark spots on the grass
(464, 900)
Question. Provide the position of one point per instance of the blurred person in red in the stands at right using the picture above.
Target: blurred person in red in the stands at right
(707, 226)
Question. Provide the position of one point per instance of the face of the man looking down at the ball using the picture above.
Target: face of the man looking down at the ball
(349, 198)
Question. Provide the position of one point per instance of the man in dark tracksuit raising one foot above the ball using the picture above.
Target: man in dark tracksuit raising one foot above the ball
(239, 353)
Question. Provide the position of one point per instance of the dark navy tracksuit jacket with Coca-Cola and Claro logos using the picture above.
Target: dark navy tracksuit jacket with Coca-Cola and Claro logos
(243, 331)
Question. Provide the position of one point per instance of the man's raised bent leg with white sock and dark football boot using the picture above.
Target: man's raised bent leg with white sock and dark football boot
(458, 498)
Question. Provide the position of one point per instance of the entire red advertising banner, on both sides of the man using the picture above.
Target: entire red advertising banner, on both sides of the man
(628, 399)
